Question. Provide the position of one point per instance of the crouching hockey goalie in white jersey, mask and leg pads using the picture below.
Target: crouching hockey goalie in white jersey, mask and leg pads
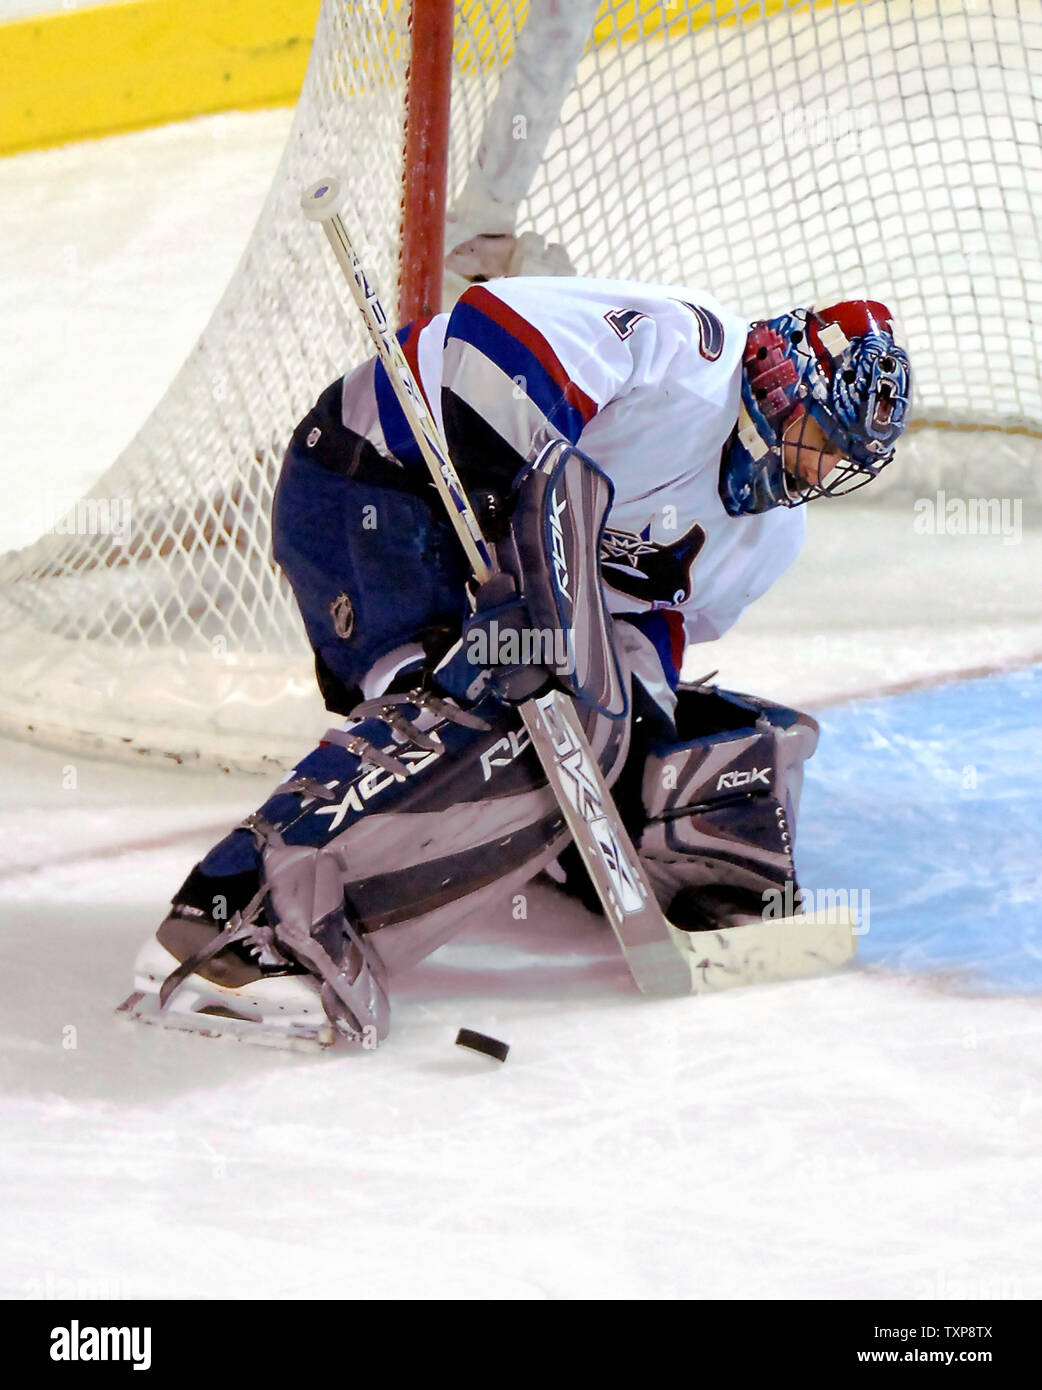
(690, 440)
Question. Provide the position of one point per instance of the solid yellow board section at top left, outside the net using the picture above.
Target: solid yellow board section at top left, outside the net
(119, 67)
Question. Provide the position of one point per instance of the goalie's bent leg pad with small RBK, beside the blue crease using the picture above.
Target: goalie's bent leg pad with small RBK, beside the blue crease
(722, 807)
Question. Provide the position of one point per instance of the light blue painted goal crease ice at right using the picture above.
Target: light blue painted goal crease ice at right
(932, 803)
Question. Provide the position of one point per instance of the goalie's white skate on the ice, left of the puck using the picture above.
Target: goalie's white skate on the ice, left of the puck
(274, 1008)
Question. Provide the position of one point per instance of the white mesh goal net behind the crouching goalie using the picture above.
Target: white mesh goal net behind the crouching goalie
(777, 152)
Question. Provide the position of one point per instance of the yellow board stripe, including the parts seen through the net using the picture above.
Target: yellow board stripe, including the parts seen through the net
(119, 67)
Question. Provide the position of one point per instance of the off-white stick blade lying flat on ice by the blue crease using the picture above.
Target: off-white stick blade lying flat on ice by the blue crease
(770, 951)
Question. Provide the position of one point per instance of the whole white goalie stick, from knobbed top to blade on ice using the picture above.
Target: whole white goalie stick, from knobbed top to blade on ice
(662, 960)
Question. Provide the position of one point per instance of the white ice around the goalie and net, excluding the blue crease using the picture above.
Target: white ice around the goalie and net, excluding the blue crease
(862, 1135)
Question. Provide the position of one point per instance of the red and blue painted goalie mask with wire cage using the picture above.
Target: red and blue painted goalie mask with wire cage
(840, 368)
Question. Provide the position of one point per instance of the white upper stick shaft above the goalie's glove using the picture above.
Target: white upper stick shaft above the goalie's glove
(322, 205)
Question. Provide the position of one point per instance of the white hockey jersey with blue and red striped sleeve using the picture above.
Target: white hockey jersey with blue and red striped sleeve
(645, 380)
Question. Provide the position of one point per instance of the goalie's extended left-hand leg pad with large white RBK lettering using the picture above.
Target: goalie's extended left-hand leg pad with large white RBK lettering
(395, 835)
